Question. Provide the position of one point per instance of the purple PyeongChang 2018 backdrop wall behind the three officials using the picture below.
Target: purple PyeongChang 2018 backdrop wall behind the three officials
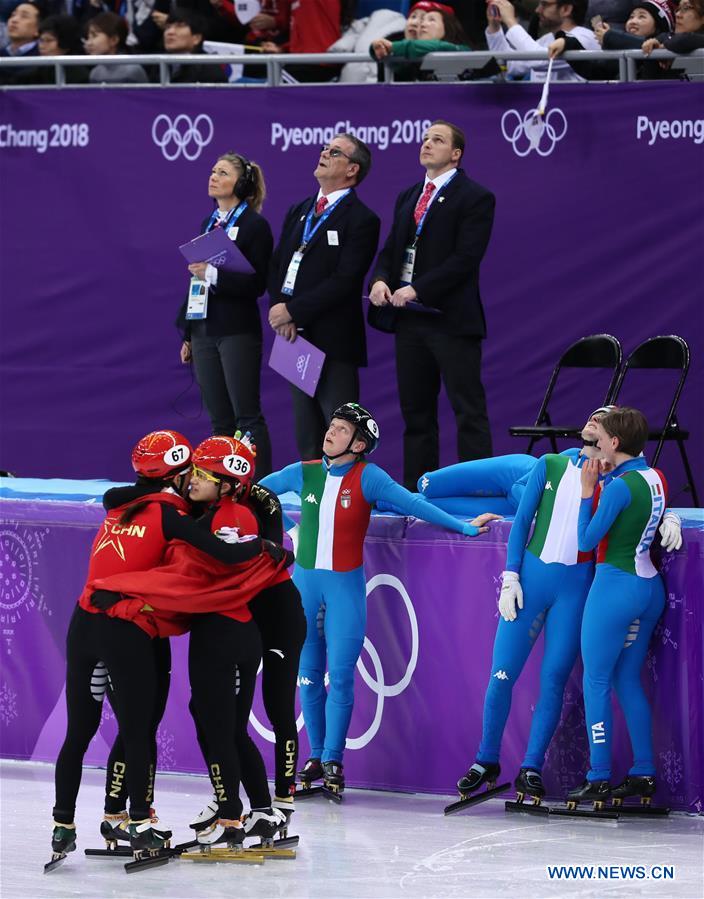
(599, 227)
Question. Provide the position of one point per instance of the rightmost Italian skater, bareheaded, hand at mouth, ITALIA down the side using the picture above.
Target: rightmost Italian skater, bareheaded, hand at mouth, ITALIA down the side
(624, 602)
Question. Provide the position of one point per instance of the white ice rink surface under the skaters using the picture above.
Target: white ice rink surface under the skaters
(373, 845)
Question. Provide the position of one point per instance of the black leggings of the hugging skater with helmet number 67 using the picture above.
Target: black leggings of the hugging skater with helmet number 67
(128, 654)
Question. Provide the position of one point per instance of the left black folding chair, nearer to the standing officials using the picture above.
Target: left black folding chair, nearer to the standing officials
(598, 351)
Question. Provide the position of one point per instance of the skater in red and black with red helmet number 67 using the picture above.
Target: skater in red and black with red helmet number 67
(134, 538)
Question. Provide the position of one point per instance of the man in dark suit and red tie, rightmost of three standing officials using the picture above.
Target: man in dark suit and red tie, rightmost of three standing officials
(440, 233)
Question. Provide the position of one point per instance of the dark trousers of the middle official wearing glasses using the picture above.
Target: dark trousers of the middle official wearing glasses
(338, 384)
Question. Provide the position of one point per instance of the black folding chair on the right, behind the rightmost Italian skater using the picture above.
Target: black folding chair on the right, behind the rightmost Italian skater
(664, 352)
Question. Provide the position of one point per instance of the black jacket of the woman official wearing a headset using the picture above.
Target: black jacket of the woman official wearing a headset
(232, 303)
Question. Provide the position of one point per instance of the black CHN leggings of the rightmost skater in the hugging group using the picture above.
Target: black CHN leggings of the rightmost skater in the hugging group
(278, 612)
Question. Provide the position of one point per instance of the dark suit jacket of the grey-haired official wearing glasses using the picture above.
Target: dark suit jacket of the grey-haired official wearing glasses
(327, 299)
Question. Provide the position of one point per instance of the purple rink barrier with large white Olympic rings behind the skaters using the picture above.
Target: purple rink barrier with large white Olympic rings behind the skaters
(420, 687)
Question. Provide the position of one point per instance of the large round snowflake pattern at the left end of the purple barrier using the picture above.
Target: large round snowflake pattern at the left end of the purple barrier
(20, 590)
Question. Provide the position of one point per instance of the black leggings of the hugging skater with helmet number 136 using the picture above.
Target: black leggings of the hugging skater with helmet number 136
(223, 658)
